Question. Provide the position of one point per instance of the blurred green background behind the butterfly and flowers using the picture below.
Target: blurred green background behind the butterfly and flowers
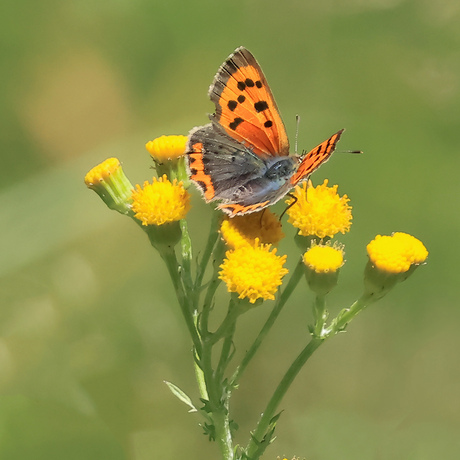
(89, 325)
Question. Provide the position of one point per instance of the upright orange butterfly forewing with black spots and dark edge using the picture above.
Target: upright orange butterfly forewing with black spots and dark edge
(245, 107)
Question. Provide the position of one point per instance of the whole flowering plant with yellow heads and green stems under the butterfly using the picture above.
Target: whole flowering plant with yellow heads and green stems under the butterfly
(240, 254)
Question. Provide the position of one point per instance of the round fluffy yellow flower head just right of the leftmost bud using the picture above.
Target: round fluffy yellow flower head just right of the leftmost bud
(160, 202)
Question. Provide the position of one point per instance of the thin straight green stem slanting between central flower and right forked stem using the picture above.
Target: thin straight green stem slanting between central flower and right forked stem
(281, 301)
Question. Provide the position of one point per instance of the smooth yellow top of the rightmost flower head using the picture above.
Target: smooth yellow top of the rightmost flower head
(396, 253)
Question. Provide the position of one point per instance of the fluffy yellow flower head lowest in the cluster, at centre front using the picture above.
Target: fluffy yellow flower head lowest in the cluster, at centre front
(254, 272)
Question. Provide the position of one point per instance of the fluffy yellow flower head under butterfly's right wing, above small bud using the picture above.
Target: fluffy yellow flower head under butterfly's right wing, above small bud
(319, 211)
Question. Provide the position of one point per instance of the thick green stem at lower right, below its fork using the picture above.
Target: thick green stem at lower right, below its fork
(257, 444)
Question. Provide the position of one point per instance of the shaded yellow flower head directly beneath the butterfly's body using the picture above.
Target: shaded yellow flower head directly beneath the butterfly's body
(244, 230)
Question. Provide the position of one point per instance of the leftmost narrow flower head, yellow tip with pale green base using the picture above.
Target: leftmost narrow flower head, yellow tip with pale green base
(109, 181)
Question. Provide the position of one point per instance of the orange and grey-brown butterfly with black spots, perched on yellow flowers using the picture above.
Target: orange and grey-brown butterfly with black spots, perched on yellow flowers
(242, 157)
